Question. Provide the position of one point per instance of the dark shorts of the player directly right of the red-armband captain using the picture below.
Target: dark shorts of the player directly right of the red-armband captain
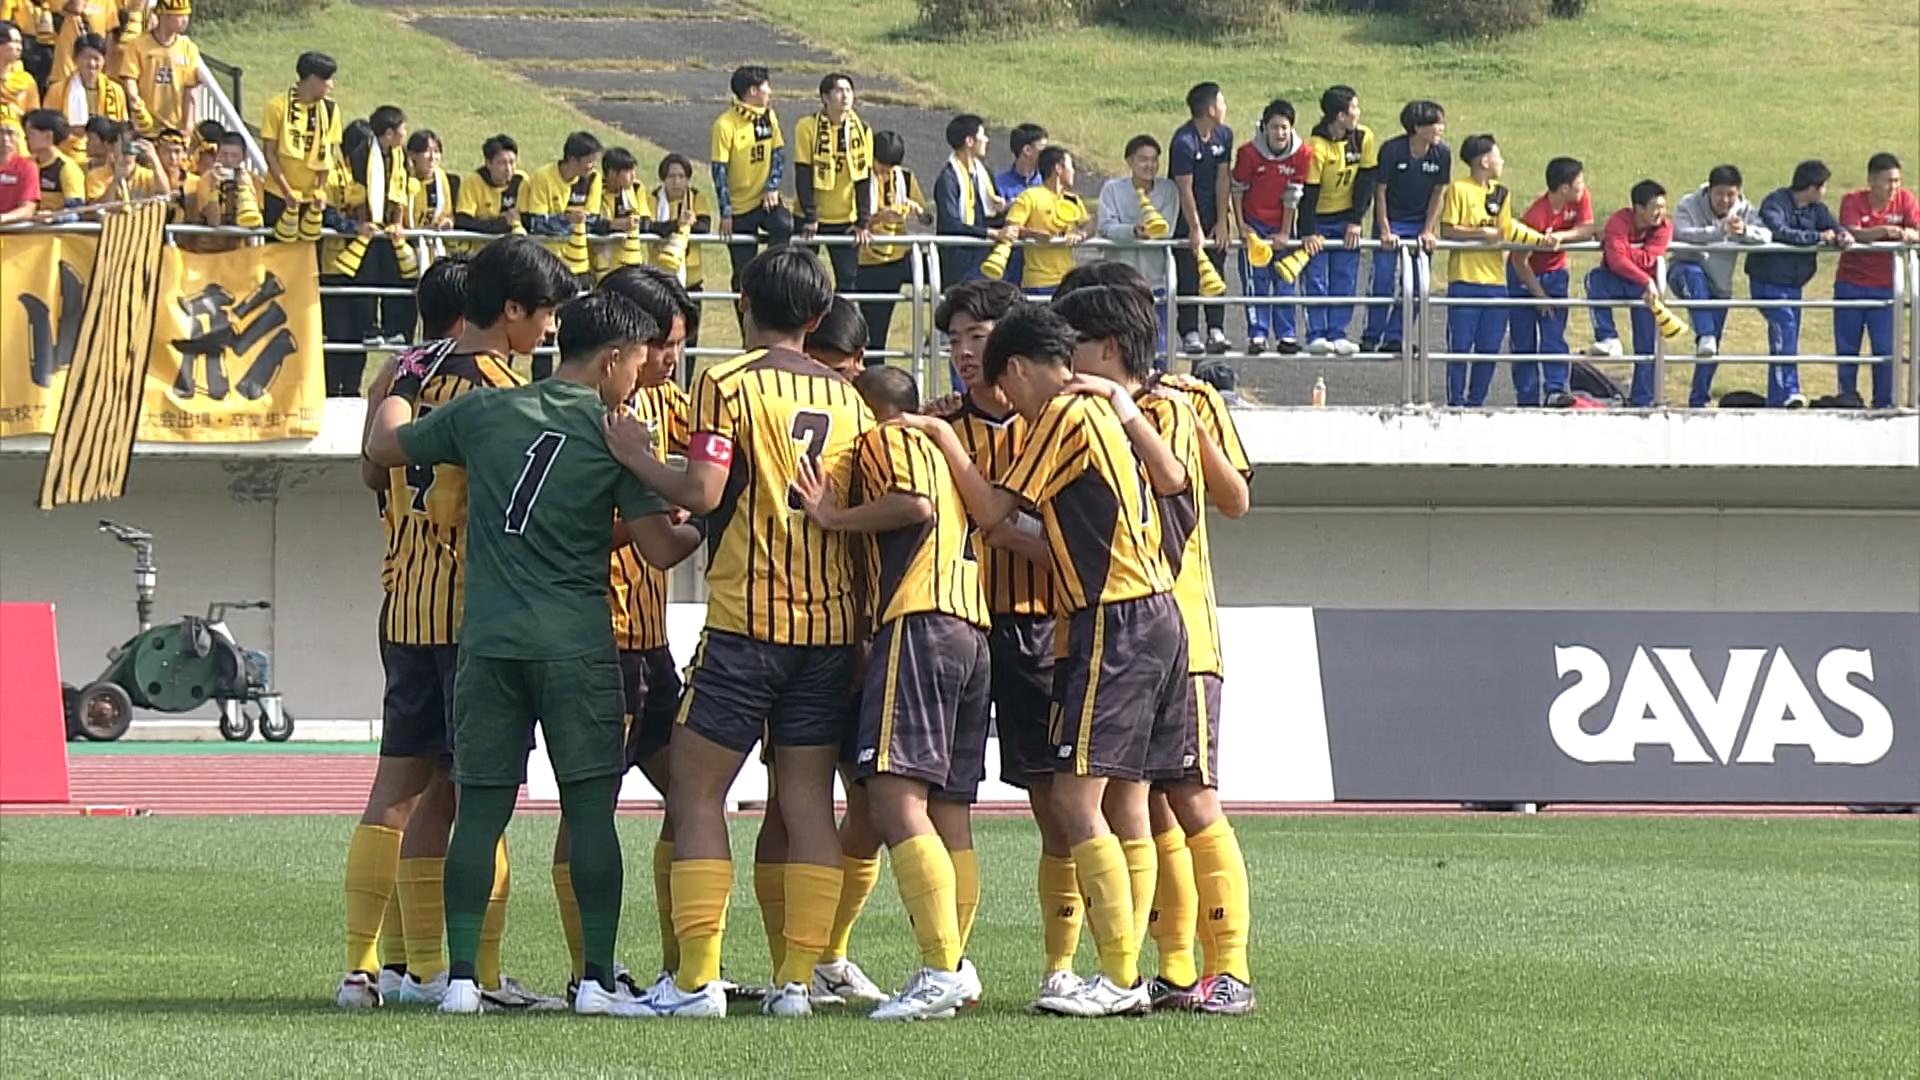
(924, 706)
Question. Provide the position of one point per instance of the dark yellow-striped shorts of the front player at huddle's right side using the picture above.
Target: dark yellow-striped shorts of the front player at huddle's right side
(1118, 695)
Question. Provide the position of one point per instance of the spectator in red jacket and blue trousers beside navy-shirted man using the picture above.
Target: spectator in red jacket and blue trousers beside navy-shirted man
(1270, 174)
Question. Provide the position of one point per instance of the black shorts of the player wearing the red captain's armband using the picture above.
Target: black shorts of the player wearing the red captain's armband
(742, 691)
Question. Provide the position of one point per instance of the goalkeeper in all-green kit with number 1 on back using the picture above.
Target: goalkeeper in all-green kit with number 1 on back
(535, 639)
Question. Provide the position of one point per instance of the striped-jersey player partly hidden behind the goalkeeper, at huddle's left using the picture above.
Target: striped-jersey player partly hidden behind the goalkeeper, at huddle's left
(514, 289)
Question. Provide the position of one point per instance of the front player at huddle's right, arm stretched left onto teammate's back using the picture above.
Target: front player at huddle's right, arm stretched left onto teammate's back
(1126, 650)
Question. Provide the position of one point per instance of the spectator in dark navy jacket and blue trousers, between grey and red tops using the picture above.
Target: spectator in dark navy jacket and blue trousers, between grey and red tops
(1796, 216)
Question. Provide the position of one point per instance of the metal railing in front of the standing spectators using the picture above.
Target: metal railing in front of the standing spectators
(1422, 307)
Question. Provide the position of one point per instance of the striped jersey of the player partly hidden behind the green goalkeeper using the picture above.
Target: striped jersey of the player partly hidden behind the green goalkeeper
(429, 503)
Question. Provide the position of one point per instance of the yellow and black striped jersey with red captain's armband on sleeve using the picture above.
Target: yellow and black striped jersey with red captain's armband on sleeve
(773, 574)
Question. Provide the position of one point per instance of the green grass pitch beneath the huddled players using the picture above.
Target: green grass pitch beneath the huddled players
(1383, 946)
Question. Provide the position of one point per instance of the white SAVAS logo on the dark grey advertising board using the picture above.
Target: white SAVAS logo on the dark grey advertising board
(1712, 727)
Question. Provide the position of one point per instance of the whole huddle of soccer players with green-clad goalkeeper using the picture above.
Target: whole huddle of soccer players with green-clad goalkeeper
(888, 581)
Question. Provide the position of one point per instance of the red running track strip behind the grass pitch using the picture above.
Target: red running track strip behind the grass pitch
(337, 785)
